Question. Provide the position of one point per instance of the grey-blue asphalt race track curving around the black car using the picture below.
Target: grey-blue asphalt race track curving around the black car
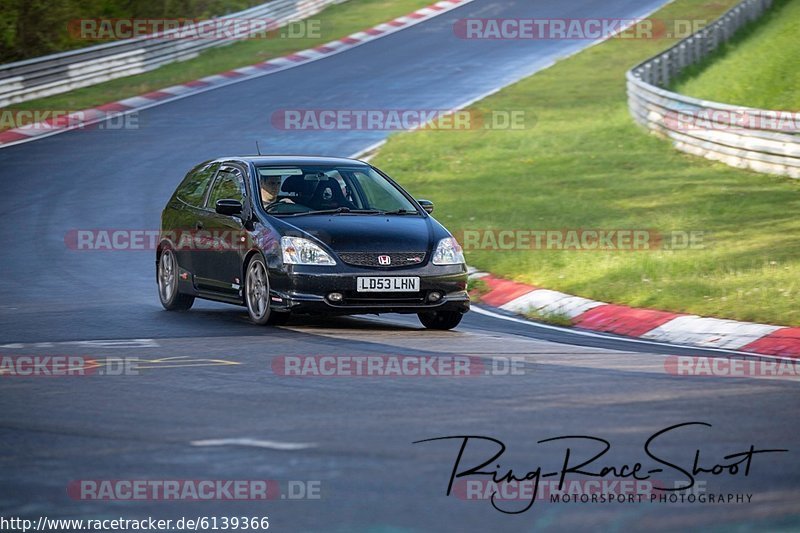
(211, 376)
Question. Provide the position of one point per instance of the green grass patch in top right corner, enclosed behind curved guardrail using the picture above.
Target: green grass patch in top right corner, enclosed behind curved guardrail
(759, 68)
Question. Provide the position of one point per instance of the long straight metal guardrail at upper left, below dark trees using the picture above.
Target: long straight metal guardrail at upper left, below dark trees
(58, 73)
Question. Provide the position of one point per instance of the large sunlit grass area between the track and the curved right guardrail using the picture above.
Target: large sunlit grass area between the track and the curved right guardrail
(585, 164)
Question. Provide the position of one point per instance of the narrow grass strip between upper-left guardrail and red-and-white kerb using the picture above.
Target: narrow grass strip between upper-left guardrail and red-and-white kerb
(335, 22)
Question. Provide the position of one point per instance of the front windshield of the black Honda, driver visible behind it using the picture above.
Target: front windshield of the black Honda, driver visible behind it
(301, 190)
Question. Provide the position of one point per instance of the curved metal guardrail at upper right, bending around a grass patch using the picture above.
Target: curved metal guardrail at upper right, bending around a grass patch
(761, 140)
